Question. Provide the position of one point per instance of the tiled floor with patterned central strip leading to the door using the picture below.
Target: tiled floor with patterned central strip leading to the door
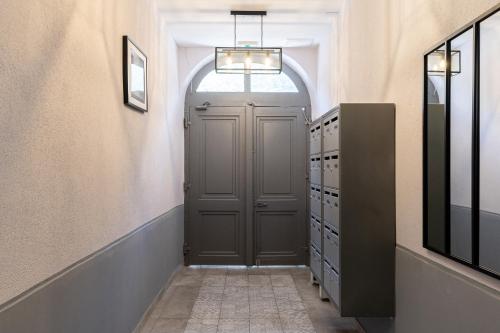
(244, 300)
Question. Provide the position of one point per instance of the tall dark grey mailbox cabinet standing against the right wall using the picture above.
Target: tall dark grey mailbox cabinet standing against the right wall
(357, 213)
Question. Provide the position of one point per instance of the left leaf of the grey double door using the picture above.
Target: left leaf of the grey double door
(216, 201)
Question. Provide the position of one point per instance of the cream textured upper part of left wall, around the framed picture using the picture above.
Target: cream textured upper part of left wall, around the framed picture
(78, 169)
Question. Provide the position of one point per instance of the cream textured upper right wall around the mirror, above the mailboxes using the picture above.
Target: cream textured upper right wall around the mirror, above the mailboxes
(381, 60)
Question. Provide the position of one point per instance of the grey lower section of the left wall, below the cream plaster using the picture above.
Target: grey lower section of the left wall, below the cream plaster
(109, 291)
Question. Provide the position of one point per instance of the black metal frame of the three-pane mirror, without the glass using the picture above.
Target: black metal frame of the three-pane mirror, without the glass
(446, 43)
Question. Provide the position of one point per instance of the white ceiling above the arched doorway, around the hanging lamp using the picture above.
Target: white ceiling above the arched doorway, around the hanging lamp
(289, 23)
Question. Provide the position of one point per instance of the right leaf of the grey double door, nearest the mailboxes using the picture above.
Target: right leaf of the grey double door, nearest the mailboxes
(280, 185)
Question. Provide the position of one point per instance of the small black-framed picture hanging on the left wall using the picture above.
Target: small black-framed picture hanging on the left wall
(135, 78)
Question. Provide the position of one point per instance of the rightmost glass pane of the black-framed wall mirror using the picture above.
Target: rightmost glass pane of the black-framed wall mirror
(489, 224)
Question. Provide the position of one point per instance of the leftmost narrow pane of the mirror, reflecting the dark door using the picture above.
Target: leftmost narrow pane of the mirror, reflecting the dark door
(436, 152)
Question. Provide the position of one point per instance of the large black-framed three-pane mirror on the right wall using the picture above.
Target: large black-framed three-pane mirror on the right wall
(462, 145)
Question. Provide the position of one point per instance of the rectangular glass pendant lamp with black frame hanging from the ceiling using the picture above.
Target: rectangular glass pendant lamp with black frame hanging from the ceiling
(249, 60)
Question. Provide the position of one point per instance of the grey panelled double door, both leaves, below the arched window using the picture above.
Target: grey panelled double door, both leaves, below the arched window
(246, 170)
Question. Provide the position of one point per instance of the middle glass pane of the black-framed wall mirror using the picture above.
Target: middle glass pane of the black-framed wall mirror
(461, 119)
